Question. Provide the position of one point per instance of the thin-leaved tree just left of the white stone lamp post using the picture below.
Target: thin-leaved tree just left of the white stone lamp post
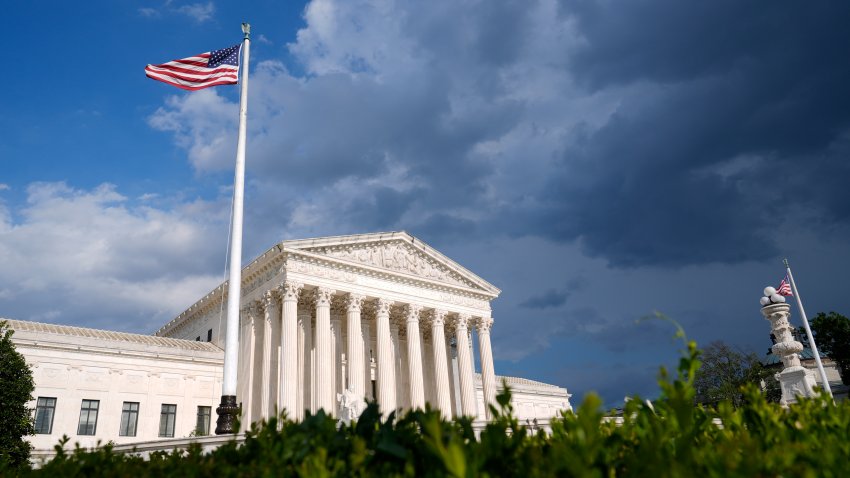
(725, 370)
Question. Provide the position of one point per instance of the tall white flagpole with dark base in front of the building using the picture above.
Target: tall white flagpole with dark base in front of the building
(228, 410)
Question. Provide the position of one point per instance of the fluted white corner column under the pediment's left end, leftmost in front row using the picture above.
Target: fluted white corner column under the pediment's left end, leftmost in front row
(291, 346)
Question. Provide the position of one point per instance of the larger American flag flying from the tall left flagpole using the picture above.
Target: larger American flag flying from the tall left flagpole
(219, 67)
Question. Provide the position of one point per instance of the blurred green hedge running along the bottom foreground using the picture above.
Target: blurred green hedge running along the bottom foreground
(670, 437)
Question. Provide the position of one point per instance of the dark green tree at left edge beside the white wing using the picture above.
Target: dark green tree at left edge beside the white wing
(16, 387)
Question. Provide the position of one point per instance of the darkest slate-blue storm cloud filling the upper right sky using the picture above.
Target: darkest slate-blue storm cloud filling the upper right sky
(730, 112)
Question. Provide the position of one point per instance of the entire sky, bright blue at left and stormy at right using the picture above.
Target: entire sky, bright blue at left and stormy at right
(595, 160)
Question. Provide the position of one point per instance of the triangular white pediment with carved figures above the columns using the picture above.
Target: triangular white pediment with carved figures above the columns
(396, 252)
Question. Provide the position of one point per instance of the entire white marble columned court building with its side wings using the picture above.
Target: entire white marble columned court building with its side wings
(378, 316)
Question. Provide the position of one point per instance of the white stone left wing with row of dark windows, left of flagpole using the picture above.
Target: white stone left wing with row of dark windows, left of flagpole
(100, 386)
